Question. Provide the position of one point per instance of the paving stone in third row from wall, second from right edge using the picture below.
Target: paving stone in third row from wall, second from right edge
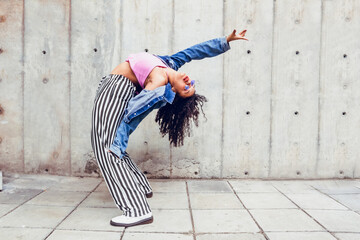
(285, 220)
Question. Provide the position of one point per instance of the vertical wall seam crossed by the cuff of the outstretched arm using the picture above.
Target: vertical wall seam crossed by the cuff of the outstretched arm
(222, 102)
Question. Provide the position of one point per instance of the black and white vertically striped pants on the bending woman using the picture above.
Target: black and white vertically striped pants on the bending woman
(126, 183)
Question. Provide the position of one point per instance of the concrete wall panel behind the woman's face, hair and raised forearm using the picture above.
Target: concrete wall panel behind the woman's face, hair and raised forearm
(201, 154)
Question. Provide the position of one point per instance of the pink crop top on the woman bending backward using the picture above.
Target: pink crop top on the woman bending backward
(142, 64)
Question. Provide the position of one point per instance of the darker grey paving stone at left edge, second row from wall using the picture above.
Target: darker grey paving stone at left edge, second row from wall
(17, 196)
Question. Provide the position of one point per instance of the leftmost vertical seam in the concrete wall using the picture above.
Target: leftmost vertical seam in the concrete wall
(23, 84)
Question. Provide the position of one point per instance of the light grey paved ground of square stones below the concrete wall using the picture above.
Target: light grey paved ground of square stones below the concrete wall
(51, 207)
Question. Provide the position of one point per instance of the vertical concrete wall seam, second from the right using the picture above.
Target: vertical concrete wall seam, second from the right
(271, 86)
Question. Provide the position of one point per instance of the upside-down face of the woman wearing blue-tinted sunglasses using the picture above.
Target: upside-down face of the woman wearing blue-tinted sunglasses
(182, 84)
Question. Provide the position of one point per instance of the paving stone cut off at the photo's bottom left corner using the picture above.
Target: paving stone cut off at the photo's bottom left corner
(24, 233)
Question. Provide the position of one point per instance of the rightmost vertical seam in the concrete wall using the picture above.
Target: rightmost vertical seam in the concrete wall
(319, 92)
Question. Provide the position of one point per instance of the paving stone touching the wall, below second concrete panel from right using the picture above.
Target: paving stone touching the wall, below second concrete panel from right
(294, 186)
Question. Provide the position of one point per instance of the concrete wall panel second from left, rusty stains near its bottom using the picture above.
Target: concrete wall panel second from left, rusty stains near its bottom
(46, 89)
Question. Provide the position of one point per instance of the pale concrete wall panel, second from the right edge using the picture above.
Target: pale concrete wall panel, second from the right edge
(295, 74)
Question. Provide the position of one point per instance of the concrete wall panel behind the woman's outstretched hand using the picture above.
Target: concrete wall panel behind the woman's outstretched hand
(247, 90)
